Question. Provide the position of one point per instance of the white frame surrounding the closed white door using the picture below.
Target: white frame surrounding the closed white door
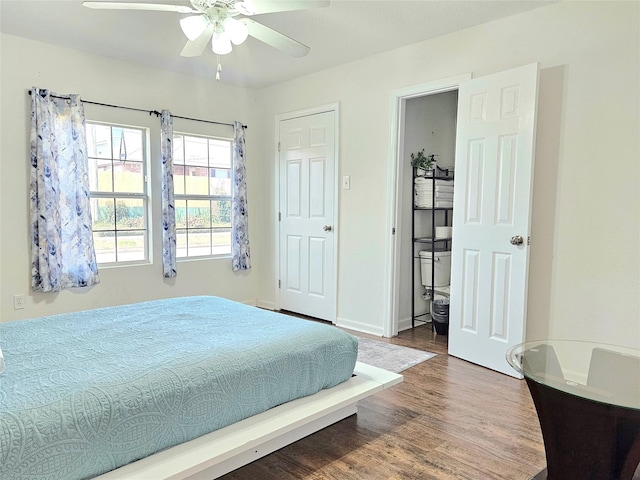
(331, 107)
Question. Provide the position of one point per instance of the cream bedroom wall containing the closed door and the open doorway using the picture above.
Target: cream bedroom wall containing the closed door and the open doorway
(584, 274)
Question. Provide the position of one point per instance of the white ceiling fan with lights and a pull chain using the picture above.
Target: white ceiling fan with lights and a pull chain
(216, 20)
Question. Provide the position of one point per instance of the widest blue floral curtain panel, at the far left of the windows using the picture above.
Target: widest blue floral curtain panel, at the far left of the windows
(62, 253)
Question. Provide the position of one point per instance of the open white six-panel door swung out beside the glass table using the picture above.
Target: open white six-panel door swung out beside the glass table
(492, 200)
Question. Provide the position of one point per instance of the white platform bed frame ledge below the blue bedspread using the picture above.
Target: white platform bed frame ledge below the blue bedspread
(229, 448)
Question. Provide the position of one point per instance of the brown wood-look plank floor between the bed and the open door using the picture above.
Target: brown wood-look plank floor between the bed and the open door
(449, 419)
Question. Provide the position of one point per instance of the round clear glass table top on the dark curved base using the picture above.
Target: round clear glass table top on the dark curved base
(603, 373)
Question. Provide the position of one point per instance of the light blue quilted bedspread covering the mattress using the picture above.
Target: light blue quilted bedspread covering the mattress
(84, 393)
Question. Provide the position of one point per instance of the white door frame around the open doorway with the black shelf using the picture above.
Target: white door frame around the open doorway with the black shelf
(396, 169)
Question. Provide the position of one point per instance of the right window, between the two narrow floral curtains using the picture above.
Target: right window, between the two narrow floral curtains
(202, 190)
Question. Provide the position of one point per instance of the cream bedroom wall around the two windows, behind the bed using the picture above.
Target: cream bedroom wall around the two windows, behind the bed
(26, 63)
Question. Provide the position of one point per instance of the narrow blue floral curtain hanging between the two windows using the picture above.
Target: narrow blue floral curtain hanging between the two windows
(168, 202)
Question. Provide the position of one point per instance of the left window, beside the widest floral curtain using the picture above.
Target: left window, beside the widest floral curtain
(117, 179)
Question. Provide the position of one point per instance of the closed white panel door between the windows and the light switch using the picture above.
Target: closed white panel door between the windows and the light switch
(307, 230)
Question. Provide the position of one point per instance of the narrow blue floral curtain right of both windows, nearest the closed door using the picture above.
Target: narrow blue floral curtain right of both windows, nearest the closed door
(241, 257)
